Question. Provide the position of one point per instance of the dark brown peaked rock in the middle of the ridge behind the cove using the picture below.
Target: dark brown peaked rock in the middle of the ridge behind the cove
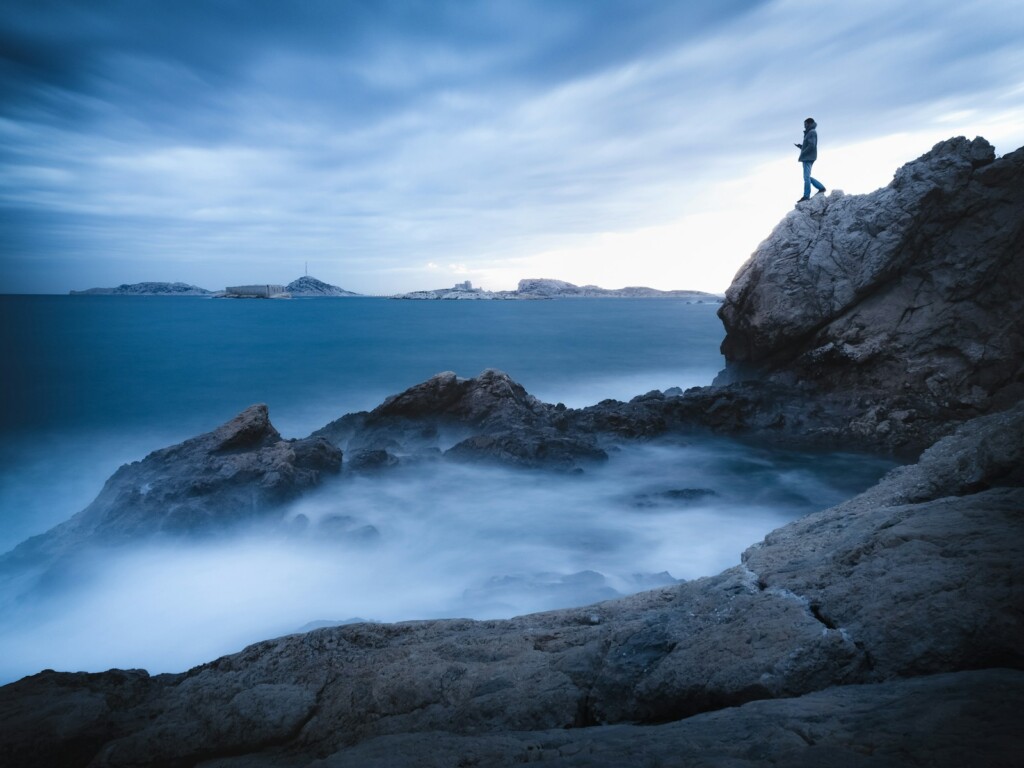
(487, 418)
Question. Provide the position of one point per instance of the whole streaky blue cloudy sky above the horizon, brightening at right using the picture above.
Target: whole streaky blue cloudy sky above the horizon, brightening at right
(408, 145)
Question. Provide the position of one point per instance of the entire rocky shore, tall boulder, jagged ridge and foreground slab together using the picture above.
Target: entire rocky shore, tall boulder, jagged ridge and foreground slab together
(885, 631)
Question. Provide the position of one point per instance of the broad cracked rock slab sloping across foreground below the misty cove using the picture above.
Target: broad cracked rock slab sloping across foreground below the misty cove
(805, 612)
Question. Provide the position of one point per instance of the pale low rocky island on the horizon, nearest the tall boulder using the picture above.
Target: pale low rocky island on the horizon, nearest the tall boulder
(534, 289)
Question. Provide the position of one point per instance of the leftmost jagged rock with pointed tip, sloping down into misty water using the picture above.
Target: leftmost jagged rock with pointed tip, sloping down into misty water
(241, 473)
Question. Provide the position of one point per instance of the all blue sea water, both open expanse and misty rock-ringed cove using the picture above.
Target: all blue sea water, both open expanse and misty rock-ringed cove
(93, 382)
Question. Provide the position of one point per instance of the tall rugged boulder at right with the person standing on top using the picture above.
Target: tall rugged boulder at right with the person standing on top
(911, 298)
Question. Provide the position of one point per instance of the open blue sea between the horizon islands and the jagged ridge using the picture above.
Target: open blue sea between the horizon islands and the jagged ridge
(92, 382)
